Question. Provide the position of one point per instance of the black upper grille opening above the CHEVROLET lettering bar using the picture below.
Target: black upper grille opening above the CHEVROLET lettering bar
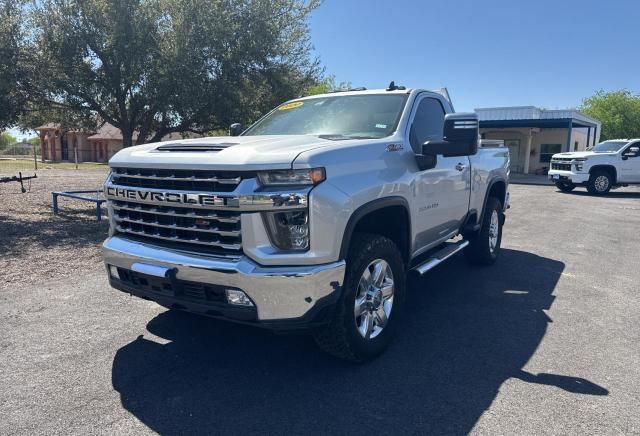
(186, 180)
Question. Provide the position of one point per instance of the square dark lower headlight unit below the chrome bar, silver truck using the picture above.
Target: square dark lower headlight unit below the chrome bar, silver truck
(289, 230)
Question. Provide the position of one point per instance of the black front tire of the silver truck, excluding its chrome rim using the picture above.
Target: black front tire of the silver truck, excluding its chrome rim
(340, 337)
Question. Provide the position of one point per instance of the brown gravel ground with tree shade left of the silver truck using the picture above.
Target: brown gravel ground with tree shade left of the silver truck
(37, 246)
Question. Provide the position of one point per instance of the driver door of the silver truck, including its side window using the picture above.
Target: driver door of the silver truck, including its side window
(441, 194)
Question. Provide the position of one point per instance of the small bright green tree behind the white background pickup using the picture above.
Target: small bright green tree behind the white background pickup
(619, 112)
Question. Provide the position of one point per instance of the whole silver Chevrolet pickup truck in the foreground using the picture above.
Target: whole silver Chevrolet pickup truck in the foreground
(310, 219)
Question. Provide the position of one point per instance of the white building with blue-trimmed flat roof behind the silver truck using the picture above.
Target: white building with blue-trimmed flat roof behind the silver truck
(533, 134)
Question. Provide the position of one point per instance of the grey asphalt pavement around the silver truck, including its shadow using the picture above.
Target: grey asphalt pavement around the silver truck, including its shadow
(546, 341)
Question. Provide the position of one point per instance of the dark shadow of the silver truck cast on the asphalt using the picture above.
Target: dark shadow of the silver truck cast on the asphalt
(466, 331)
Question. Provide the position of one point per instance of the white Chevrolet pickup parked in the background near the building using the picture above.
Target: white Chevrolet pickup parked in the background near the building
(608, 165)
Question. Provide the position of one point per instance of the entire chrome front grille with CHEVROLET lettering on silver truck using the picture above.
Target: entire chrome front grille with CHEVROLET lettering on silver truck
(193, 210)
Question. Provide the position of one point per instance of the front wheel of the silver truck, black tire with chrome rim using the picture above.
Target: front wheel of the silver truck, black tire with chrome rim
(368, 311)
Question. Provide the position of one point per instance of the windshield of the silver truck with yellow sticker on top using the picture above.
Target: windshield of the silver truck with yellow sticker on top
(335, 117)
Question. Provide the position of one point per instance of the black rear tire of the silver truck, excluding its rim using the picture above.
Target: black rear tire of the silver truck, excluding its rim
(479, 251)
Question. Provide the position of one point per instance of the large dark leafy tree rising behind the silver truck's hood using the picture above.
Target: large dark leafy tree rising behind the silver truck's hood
(161, 66)
